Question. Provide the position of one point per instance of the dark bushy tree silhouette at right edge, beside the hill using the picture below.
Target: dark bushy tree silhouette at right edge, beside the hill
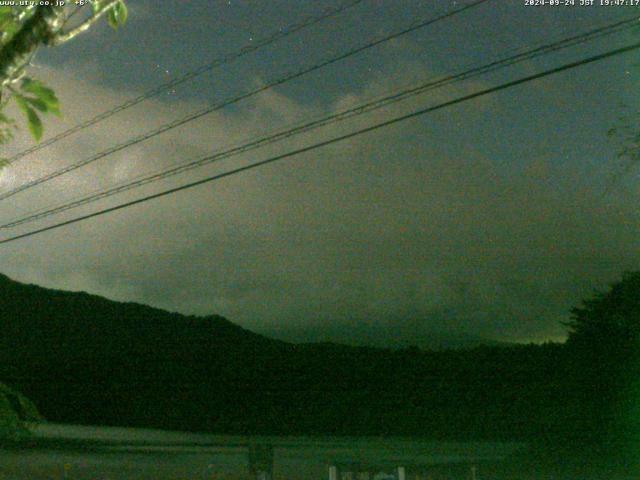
(604, 344)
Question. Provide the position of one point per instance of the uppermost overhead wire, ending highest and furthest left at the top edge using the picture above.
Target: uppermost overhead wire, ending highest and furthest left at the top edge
(154, 92)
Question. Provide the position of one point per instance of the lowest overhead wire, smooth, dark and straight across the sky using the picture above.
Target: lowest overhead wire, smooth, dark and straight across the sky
(333, 140)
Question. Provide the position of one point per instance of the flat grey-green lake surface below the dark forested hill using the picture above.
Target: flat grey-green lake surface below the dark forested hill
(118, 453)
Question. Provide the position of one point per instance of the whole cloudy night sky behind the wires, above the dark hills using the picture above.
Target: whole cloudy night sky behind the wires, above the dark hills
(490, 218)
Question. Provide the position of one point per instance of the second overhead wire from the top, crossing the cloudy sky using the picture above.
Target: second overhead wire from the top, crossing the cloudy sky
(218, 106)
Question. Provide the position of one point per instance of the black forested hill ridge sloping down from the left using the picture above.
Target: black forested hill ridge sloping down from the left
(85, 359)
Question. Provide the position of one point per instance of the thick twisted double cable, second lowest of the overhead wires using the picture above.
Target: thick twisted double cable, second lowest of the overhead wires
(329, 119)
